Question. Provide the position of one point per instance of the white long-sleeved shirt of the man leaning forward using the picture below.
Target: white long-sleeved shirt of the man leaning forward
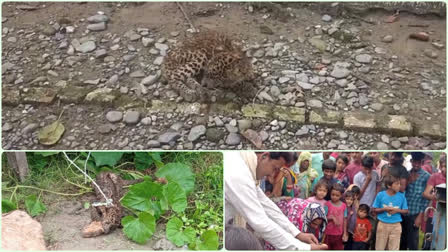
(243, 197)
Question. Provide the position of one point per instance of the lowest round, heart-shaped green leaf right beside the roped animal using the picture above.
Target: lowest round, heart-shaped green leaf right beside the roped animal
(139, 229)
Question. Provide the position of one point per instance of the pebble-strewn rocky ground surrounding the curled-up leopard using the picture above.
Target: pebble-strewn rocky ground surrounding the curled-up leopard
(327, 78)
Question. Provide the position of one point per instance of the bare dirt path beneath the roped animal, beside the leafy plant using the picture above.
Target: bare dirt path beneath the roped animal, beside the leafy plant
(63, 222)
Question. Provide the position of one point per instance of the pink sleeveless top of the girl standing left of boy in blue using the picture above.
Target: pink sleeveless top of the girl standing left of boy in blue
(337, 212)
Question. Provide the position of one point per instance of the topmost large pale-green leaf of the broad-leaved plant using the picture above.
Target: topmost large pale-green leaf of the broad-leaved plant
(179, 173)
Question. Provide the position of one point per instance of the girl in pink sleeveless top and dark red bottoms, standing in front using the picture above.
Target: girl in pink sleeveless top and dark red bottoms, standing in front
(336, 210)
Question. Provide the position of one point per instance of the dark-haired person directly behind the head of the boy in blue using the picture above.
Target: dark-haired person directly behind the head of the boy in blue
(396, 169)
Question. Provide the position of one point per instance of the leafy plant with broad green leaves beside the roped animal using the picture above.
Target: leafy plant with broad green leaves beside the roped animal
(149, 200)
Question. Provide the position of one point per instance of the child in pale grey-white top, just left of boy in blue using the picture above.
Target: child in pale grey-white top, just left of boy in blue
(367, 180)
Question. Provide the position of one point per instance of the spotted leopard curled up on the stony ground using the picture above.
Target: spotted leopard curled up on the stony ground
(206, 65)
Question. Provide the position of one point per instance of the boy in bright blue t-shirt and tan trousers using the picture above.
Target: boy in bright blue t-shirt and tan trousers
(389, 205)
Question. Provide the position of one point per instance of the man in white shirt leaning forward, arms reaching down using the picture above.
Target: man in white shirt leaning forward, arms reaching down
(245, 201)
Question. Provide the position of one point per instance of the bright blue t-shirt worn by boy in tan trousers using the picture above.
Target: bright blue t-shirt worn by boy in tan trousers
(385, 200)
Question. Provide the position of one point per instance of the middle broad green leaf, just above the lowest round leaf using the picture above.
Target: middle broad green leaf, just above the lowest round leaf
(140, 195)
